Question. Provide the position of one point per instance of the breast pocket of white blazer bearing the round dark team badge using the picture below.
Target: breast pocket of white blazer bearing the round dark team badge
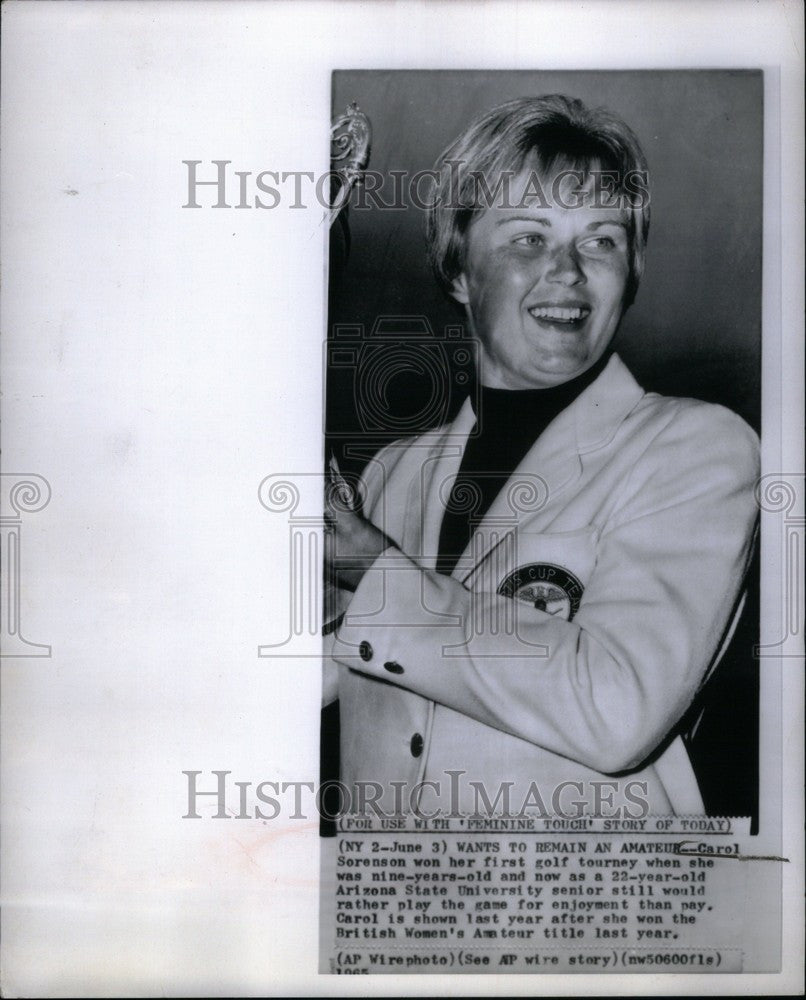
(548, 570)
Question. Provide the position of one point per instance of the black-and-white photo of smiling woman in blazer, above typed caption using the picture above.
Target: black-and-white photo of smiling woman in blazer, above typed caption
(622, 520)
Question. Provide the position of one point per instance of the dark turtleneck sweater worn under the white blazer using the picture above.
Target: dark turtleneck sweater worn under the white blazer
(510, 422)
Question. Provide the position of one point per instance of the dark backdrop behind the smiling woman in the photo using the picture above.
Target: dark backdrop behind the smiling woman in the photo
(694, 329)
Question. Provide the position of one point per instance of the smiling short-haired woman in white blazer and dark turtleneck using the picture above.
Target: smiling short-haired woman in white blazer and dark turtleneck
(519, 580)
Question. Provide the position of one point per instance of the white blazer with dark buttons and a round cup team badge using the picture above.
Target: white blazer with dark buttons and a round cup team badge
(631, 522)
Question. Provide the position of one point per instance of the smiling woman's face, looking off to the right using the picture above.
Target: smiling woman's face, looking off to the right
(543, 284)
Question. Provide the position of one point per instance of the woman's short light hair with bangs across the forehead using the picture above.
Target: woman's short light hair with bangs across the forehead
(552, 133)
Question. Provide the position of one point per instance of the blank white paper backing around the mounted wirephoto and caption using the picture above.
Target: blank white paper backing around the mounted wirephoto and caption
(158, 363)
